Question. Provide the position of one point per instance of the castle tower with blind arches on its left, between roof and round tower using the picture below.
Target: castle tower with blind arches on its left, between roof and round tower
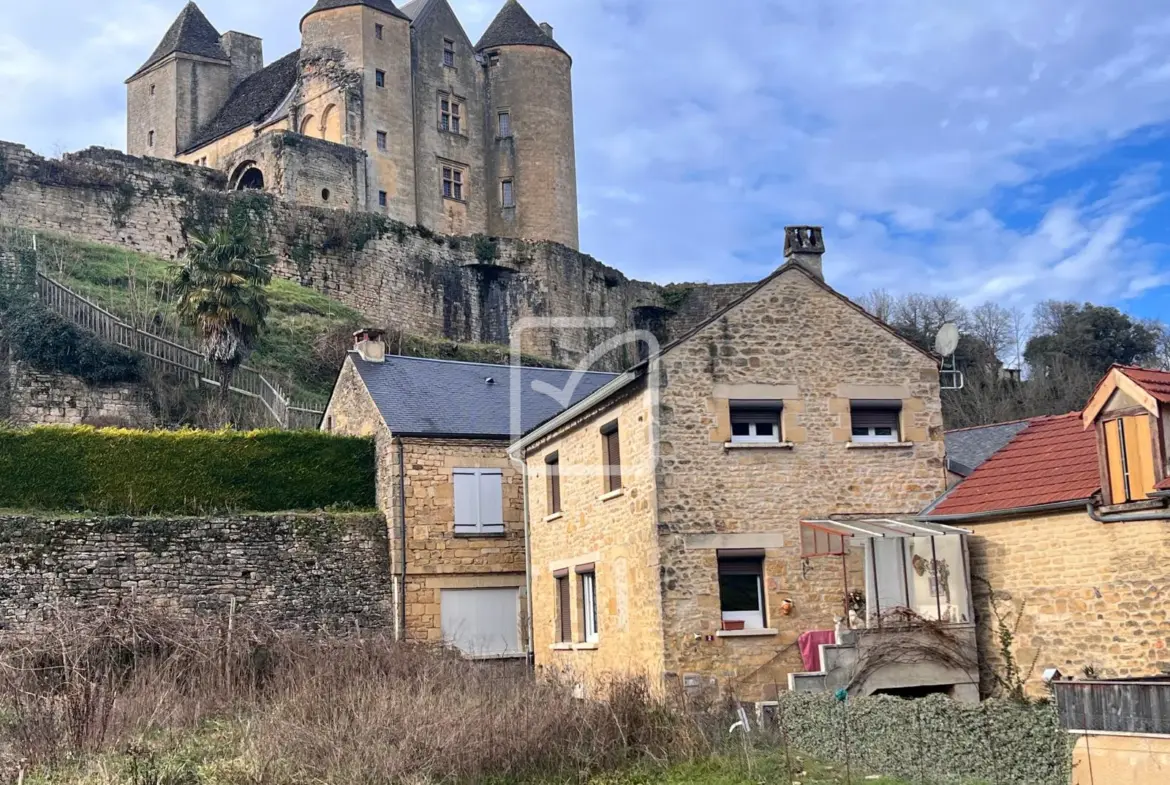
(356, 89)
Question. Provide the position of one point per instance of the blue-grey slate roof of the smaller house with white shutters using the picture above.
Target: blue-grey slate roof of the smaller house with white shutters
(425, 397)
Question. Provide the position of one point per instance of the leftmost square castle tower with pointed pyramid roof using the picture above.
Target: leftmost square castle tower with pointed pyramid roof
(180, 88)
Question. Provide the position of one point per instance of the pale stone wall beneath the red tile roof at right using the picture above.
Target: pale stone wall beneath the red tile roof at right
(1093, 595)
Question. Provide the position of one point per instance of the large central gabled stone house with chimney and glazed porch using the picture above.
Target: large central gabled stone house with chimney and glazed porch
(676, 517)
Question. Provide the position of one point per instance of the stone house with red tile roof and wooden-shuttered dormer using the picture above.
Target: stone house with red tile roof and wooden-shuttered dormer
(1071, 524)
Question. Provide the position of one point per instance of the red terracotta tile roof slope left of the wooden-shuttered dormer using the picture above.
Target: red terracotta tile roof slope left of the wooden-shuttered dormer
(1054, 460)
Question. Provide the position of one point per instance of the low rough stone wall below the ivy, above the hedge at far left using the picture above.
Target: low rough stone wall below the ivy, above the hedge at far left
(37, 398)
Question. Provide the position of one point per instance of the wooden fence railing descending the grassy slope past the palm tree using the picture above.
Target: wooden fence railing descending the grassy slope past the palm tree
(173, 357)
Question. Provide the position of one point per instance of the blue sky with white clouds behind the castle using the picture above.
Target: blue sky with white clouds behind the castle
(999, 149)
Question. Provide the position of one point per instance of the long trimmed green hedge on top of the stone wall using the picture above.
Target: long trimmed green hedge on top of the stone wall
(120, 472)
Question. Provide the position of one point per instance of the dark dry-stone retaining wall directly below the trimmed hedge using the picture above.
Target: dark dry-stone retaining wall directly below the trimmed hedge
(292, 570)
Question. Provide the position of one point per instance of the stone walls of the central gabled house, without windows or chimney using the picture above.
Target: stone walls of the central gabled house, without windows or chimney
(792, 341)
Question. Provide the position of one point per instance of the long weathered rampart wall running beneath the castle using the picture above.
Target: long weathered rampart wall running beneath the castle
(470, 290)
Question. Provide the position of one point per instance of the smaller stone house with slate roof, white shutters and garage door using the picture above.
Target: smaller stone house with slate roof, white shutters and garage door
(452, 499)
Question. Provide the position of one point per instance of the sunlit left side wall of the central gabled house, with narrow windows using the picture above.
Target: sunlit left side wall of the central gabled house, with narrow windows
(616, 533)
